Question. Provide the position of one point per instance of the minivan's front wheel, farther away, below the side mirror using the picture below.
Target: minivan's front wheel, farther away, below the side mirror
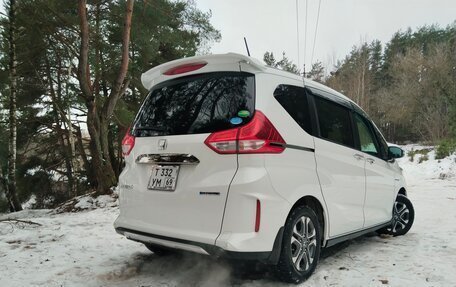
(403, 217)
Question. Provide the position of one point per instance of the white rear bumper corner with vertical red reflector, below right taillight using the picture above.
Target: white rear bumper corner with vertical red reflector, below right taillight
(252, 182)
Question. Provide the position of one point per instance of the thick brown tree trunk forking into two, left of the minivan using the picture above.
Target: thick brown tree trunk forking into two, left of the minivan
(98, 121)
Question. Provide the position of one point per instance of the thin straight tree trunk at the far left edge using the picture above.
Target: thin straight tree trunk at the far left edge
(11, 193)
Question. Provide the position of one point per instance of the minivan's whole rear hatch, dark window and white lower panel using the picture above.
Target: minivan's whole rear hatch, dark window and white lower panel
(180, 185)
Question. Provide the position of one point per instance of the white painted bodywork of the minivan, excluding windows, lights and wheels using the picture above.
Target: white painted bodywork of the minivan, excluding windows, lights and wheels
(331, 175)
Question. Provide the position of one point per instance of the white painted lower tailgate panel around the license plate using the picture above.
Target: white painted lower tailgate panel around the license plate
(183, 213)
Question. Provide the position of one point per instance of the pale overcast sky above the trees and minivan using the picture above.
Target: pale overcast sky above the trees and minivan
(270, 25)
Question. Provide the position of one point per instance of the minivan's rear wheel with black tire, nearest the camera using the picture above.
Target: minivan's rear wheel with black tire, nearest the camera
(301, 246)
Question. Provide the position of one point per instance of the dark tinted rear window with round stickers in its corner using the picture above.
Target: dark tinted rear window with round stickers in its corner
(203, 103)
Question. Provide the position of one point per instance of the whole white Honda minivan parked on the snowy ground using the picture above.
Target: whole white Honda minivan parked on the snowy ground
(228, 157)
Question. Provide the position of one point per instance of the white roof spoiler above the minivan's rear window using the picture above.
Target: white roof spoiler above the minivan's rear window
(156, 74)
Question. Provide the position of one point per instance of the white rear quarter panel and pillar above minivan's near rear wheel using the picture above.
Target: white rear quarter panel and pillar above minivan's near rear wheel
(293, 172)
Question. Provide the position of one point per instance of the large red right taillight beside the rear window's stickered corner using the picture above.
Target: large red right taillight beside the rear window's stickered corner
(258, 136)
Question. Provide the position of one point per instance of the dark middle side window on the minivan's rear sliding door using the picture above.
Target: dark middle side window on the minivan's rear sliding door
(335, 122)
